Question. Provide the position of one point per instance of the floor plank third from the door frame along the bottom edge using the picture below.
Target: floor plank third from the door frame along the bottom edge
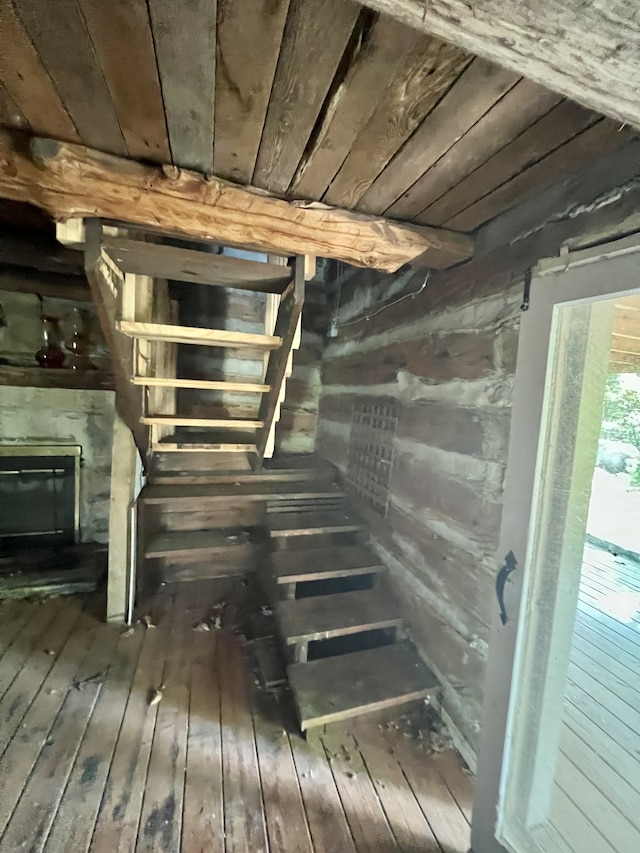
(367, 820)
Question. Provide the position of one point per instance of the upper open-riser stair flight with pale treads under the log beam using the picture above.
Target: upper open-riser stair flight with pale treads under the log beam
(131, 277)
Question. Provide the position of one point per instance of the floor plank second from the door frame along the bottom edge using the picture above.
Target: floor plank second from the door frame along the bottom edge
(409, 825)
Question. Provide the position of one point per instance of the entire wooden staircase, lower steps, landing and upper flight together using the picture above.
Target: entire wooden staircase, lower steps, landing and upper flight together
(215, 504)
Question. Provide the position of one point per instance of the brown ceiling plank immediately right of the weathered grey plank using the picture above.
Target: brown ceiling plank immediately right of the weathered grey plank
(246, 28)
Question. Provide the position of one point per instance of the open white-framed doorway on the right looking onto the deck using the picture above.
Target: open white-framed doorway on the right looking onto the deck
(569, 780)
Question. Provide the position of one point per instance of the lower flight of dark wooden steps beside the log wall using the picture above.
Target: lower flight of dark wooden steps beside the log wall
(341, 628)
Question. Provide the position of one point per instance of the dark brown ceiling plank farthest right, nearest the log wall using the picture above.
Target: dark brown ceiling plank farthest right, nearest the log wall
(604, 136)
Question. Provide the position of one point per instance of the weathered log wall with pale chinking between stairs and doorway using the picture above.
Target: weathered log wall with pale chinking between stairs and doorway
(448, 356)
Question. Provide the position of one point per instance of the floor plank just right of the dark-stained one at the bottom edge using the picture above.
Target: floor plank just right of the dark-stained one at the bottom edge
(203, 821)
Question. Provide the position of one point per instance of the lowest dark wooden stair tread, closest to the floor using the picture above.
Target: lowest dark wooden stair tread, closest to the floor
(337, 688)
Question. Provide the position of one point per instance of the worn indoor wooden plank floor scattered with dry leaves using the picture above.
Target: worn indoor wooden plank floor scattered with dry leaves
(87, 763)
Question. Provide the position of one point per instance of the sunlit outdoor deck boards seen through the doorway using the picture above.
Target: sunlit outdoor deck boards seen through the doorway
(600, 738)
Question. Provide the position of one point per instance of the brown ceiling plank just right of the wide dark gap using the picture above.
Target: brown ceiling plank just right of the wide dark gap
(355, 101)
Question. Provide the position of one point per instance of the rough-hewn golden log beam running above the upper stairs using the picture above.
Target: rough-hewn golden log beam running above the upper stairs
(71, 180)
